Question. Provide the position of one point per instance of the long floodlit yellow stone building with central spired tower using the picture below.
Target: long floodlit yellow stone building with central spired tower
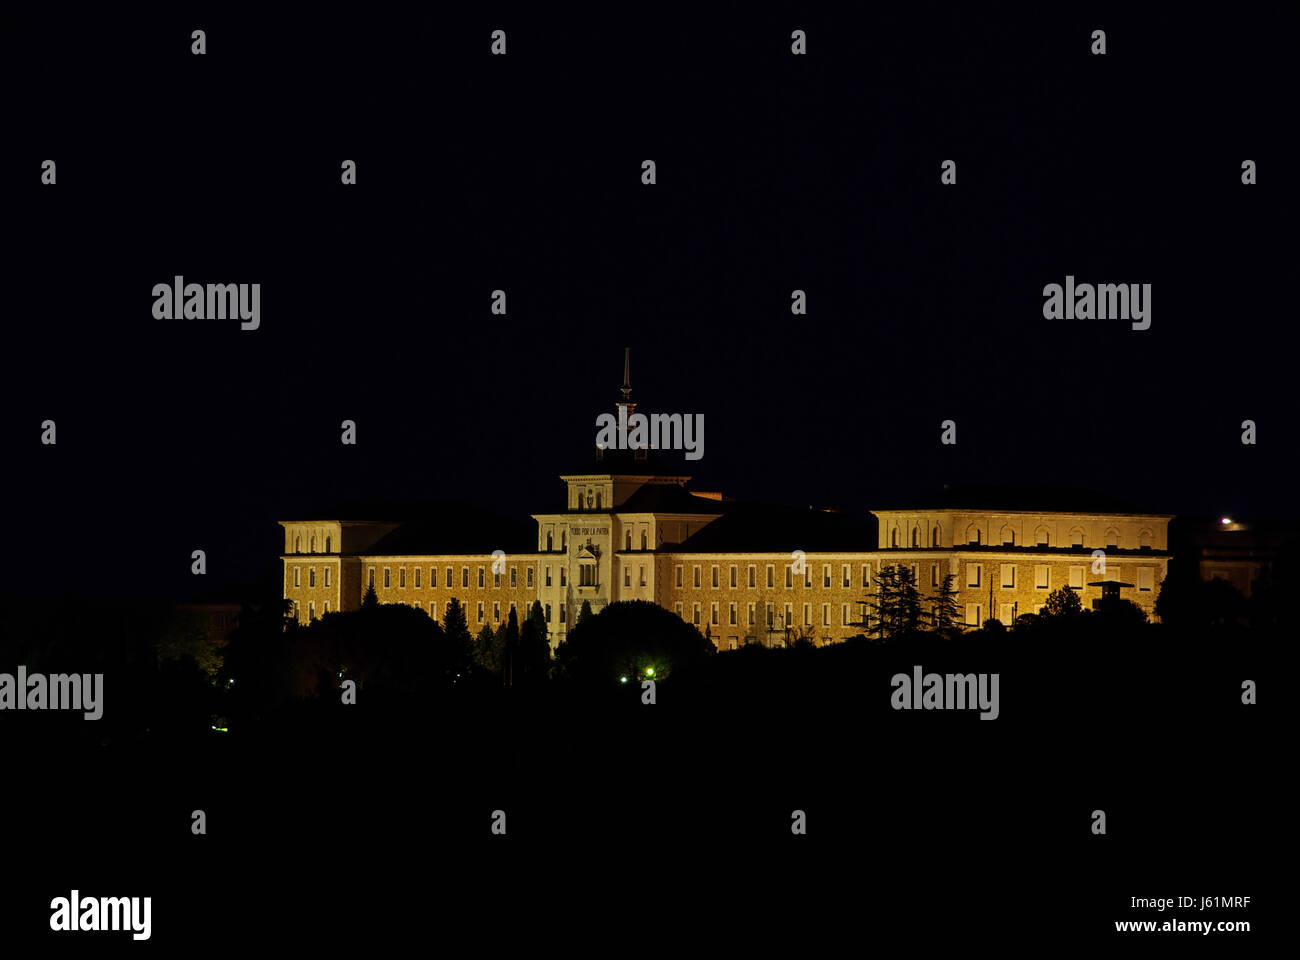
(632, 530)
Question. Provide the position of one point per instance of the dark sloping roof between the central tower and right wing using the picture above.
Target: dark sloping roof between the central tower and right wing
(766, 529)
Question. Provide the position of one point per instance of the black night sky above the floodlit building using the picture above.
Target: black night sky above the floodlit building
(523, 172)
